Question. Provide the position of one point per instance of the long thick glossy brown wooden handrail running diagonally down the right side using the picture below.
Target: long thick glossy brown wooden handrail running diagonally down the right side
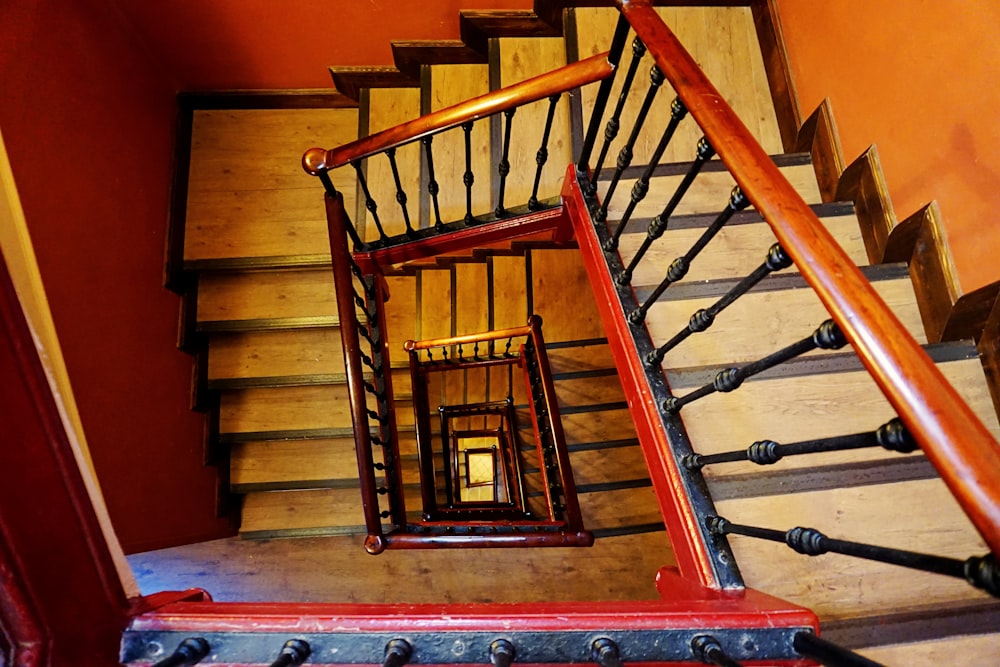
(954, 440)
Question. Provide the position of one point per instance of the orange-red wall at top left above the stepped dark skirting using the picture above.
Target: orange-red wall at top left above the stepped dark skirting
(288, 43)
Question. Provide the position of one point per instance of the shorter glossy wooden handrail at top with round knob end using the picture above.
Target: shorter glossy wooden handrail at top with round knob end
(574, 75)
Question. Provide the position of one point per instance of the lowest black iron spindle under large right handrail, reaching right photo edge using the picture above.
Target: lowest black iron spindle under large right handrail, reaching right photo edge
(982, 572)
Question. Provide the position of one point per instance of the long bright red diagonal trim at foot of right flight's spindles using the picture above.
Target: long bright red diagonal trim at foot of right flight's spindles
(693, 556)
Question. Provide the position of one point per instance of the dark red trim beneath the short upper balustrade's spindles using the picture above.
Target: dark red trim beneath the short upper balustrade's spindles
(465, 239)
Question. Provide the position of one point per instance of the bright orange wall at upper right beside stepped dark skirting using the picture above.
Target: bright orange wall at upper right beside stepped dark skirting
(920, 79)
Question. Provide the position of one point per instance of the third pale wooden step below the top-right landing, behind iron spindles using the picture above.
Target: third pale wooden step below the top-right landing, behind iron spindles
(776, 318)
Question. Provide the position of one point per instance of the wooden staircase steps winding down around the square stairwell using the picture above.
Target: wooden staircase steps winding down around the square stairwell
(256, 238)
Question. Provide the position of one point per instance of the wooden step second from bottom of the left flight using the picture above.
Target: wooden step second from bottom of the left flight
(287, 462)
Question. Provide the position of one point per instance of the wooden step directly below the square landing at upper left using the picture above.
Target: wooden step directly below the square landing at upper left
(267, 296)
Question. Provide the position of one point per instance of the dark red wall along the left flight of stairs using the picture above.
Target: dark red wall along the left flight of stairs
(89, 126)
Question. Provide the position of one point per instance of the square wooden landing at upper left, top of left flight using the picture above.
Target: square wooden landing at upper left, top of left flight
(245, 177)
